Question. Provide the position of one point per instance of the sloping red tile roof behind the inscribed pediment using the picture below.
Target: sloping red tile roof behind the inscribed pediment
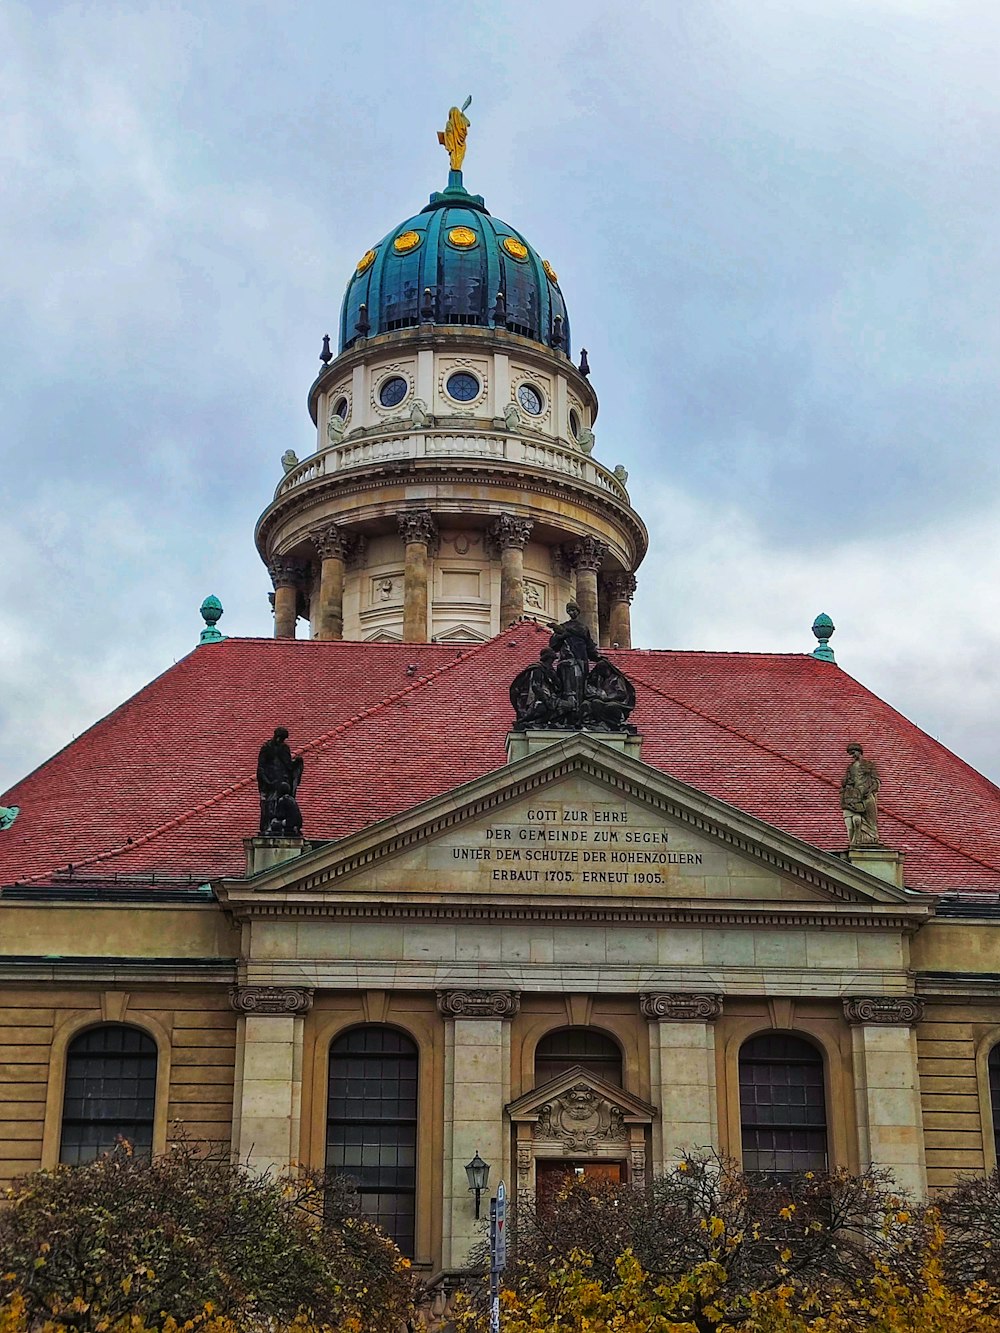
(166, 783)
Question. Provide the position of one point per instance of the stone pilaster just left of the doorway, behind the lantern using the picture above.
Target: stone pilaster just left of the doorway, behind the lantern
(477, 1091)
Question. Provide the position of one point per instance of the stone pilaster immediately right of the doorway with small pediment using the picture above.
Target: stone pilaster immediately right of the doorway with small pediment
(682, 1067)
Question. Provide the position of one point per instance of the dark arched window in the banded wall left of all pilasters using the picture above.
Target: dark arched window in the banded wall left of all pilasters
(110, 1092)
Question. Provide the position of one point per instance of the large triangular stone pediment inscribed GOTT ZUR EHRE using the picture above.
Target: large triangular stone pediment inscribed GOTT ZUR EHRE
(581, 822)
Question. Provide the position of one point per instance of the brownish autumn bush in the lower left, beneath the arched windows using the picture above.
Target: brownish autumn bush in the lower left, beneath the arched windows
(130, 1238)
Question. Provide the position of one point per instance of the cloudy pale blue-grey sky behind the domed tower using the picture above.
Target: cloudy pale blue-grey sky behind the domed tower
(775, 223)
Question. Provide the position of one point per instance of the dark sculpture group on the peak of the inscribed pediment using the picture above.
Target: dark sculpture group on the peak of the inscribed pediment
(573, 688)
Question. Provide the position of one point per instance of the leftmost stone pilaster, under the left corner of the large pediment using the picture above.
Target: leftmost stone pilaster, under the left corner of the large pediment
(267, 1108)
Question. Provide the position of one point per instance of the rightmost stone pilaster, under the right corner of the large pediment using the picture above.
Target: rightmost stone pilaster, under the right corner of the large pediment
(887, 1087)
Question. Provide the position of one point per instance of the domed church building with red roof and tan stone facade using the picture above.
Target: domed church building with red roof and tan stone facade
(563, 950)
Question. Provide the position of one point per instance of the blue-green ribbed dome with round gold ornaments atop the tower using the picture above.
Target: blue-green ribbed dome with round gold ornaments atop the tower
(446, 266)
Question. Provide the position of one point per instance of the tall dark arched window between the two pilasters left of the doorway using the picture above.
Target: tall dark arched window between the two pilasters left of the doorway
(371, 1124)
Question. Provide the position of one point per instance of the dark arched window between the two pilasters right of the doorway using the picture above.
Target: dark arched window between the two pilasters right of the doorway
(783, 1106)
